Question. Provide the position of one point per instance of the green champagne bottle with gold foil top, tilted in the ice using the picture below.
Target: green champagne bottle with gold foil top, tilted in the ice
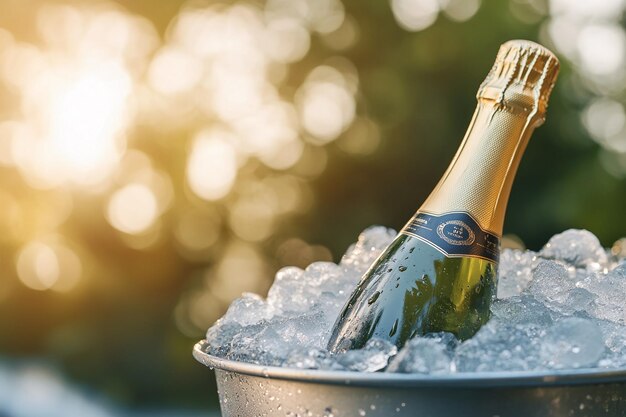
(439, 273)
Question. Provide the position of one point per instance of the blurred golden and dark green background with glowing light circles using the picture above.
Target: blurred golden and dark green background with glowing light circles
(159, 158)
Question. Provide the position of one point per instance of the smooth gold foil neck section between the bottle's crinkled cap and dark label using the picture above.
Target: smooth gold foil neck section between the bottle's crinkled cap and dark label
(479, 179)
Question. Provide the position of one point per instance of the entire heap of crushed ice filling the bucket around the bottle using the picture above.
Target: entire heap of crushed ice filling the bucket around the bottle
(563, 307)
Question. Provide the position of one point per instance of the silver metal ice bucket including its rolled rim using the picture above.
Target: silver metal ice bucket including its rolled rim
(248, 390)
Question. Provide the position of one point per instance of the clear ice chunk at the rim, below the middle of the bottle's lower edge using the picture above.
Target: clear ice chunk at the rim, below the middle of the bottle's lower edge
(424, 356)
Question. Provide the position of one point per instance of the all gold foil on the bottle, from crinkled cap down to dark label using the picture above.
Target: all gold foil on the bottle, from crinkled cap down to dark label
(512, 101)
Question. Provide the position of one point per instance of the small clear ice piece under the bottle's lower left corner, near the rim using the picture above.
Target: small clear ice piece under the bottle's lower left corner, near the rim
(373, 357)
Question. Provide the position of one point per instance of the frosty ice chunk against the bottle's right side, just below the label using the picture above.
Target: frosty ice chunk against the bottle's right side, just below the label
(515, 271)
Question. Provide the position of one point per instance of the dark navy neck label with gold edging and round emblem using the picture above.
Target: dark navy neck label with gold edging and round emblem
(454, 234)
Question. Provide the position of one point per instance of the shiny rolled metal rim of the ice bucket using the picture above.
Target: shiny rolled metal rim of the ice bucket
(461, 380)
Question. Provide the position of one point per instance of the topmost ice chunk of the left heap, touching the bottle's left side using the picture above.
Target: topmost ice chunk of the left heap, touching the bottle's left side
(372, 241)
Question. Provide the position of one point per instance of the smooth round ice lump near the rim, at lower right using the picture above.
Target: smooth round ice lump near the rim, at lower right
(572, 343)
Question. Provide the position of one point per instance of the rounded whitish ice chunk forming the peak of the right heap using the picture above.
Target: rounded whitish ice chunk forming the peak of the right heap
(580, 248)
